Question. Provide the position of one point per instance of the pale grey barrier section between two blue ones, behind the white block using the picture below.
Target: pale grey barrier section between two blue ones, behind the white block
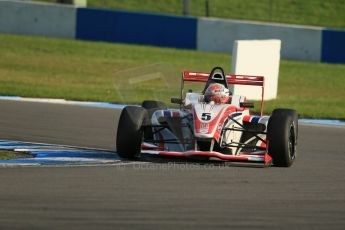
(298, 42)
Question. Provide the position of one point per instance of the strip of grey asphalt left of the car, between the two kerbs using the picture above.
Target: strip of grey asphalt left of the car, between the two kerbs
(58, 124)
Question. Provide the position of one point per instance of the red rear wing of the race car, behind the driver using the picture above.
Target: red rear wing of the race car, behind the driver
(232, 79)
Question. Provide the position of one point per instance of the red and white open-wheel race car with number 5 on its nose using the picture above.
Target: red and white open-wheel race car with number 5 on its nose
(212, 125)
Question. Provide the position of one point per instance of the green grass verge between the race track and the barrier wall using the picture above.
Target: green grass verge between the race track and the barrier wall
(79, 70)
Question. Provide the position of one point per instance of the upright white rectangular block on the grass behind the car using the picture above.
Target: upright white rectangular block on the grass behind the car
(258, 58)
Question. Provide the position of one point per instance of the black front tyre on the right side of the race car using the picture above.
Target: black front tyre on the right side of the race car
(282, 136)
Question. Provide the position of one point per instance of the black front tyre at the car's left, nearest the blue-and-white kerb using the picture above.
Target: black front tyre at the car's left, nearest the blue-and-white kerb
(130, 131)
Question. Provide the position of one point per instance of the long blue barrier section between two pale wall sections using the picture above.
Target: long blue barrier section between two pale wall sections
(136, 28)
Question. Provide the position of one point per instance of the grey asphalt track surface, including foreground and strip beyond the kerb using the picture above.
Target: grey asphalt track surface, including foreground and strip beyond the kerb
(156, 195)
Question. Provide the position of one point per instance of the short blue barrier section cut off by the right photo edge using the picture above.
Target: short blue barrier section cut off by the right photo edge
(333, 46)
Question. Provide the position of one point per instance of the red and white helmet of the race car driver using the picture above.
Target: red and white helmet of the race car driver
(217, 93)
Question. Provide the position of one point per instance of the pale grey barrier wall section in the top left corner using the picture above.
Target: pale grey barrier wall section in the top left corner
(52, 20)
